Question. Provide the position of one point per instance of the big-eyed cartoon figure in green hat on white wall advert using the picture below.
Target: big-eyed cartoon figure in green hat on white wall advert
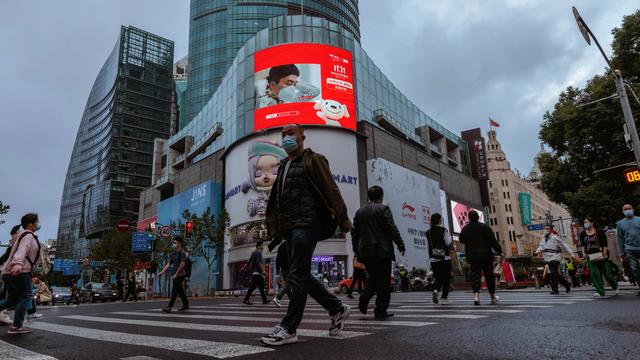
(264, 158)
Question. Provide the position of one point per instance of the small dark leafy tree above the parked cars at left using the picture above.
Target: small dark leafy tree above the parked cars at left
(115, 249)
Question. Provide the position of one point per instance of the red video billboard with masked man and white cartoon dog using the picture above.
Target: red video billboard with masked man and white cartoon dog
(306, 83)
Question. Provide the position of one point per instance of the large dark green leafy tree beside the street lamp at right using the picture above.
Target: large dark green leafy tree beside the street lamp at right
(590, 138)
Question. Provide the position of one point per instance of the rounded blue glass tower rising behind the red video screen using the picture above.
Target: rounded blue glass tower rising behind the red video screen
(219, 28)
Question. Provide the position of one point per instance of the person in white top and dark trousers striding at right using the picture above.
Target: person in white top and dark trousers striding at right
(550, 249)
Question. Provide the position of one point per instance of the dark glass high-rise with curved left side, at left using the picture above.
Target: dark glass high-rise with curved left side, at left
(128, 107)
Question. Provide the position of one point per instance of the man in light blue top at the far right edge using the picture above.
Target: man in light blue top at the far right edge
(628, 233)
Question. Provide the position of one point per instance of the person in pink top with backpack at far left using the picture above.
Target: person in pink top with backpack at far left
(17, 272)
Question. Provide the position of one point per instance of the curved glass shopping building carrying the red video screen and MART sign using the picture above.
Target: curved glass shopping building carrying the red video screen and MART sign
(377, 137)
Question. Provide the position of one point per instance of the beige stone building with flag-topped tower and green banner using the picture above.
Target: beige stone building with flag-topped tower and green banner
(518, 204)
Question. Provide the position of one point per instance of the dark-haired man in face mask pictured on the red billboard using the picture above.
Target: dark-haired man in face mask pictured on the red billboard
(283, 87)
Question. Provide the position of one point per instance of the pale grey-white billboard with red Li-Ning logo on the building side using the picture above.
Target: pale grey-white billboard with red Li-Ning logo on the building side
(412, 198)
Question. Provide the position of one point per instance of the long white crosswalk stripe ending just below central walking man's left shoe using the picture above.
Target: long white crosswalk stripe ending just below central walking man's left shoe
(201, 347)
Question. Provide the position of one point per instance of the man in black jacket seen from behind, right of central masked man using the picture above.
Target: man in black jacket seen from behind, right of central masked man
(373, 236)
